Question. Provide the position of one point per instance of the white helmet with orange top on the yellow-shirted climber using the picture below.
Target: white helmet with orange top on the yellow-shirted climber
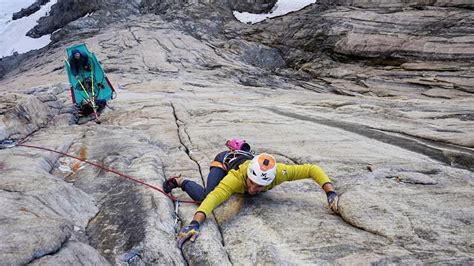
(262, 169)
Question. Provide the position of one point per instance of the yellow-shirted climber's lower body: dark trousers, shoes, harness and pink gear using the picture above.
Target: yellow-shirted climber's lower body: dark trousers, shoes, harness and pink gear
(238, 153)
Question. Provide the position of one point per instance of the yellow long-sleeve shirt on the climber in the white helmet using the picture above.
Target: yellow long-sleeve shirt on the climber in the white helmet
(235, 182)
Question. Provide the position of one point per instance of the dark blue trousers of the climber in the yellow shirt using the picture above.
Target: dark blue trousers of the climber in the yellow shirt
(196, 191)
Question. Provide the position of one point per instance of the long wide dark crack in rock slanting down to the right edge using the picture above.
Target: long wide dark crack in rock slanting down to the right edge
(414, 144)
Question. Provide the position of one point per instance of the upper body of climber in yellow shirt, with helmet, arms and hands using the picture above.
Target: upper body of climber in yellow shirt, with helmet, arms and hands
(260, 174)
